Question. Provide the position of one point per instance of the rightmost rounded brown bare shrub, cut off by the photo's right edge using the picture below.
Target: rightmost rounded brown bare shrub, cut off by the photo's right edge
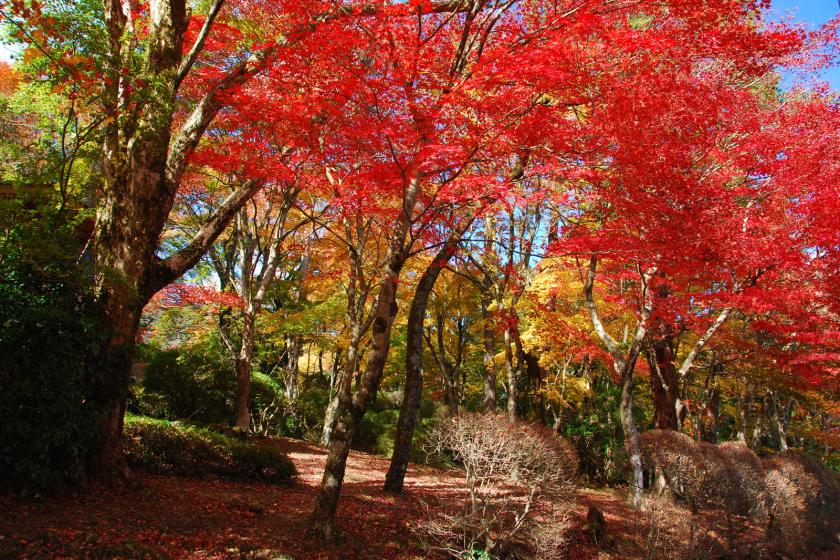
(804, 504)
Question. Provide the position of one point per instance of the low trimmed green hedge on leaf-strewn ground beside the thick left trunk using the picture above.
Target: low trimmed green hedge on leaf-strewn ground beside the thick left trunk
(169, 448)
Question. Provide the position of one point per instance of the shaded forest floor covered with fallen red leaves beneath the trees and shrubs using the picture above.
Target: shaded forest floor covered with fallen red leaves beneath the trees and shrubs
(162, 517)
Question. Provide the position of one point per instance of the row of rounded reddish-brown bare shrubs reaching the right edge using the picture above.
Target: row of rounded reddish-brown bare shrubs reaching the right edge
(797, 498)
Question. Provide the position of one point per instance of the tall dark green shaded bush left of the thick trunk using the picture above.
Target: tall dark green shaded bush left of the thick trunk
(50, 336)
